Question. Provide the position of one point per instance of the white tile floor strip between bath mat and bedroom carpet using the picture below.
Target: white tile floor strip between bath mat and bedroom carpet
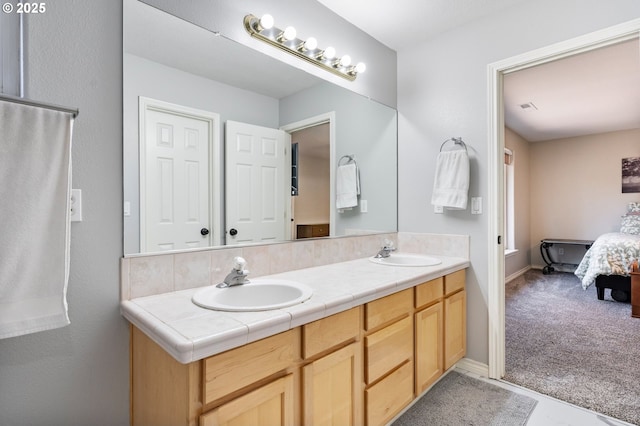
(552, 412)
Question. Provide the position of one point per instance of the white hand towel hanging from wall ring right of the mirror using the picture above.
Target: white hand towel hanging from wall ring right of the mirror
(451, 184)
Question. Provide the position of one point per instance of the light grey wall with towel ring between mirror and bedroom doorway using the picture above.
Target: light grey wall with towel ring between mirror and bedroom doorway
(442, 92)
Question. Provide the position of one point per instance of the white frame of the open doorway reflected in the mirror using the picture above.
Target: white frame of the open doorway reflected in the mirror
(327, 117)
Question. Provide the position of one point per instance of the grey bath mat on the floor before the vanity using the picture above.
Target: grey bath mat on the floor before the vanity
(458, 400)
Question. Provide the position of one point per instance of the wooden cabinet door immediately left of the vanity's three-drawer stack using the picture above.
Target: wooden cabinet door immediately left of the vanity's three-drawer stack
(332, 388)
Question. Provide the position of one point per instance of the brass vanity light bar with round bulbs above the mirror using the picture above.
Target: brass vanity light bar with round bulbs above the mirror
(263, 29)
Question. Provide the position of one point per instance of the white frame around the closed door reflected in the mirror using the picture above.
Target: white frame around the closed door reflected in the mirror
(214, 161)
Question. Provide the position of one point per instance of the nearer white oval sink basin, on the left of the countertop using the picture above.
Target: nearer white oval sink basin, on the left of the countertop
(257, 295)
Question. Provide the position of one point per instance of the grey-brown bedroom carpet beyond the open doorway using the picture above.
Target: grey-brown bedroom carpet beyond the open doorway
(563, 342)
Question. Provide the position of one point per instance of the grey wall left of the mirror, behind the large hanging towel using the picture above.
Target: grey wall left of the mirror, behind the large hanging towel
(79, 374)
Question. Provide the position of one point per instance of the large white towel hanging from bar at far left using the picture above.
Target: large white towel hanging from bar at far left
(35, 182)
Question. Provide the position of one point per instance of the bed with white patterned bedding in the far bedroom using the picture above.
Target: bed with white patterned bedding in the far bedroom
(608, 261)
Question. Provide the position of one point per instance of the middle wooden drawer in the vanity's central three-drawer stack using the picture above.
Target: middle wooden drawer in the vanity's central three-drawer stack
(387, 348)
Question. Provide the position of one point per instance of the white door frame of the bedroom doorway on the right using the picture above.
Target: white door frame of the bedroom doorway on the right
(495, 73)
